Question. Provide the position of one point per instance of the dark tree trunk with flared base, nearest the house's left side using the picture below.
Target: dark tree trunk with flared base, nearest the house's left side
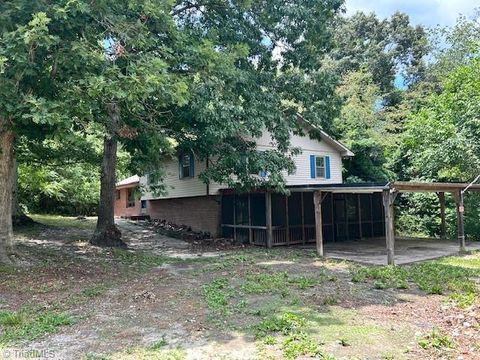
(106, 233)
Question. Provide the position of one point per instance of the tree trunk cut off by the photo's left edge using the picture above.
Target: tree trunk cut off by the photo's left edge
(6, 183)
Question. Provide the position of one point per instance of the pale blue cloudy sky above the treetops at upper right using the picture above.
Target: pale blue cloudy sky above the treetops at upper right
(425, 12)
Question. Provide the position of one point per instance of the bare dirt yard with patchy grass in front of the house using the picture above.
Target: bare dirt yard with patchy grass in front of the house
(167, 299)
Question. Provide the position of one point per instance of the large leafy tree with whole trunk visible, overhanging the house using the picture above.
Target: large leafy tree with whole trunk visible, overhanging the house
(209, 75)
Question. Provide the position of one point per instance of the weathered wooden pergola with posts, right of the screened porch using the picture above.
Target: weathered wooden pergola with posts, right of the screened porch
(390, 192)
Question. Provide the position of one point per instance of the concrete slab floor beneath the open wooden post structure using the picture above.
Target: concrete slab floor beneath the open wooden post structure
(373, 251)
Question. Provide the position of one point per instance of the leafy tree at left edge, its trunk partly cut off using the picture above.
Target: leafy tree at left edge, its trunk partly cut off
(26, 93)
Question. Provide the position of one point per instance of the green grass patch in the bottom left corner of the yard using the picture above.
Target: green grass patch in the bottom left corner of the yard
(30, 324)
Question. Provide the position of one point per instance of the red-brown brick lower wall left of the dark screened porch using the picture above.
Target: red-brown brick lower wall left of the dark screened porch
(201, 213)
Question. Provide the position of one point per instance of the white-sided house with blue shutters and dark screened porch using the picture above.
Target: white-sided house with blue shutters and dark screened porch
(261, 217)
